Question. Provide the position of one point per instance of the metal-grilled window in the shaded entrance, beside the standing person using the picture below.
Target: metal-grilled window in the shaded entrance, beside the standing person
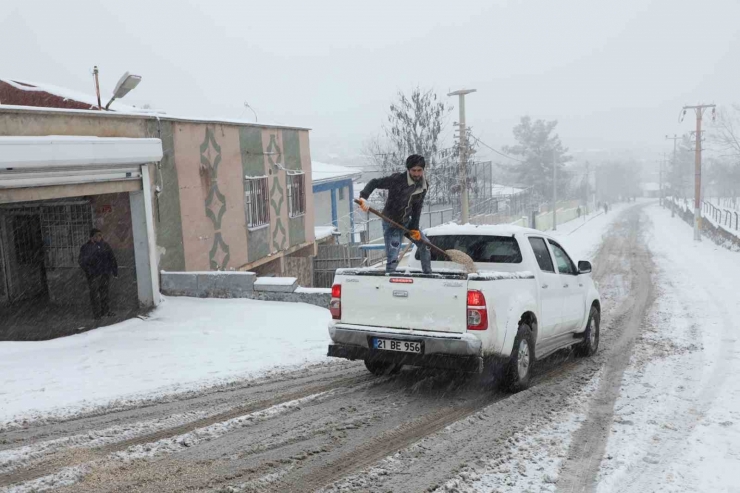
(65, 228)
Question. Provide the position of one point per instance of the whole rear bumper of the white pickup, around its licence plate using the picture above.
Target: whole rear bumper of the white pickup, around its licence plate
(441, 350)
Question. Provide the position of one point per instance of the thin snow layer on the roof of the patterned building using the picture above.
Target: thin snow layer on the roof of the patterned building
(118, 108)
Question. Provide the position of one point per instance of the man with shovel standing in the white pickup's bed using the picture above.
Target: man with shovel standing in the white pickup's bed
(406, 192)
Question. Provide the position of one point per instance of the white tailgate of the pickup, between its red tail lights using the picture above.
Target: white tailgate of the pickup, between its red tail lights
(405, 302)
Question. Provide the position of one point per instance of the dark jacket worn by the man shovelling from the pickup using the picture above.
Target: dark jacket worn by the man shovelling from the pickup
(405, 197)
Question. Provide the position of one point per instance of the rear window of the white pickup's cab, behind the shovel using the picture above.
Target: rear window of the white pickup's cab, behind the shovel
(491, 249)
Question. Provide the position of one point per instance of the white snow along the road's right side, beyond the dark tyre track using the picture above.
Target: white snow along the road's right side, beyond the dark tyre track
(677, 420)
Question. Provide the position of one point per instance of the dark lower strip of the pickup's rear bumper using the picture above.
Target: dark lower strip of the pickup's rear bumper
(472, 364)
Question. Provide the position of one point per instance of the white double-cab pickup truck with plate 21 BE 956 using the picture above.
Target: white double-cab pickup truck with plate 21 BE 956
(527, 300)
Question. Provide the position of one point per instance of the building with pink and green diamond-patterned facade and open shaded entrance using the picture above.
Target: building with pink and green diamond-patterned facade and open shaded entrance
(225, 195)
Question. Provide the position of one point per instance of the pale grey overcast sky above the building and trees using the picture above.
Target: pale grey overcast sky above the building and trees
(613, 73)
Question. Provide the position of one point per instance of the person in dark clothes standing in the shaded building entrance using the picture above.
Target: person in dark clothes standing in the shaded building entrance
(99, 263)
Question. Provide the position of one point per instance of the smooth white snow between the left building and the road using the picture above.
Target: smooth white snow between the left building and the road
(186, 344)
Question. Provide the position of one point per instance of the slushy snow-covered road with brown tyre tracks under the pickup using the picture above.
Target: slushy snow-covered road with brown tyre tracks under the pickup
(333, 427)
